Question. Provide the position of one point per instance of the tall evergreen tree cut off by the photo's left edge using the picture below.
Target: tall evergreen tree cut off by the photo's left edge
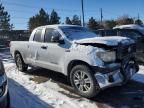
(4, 19)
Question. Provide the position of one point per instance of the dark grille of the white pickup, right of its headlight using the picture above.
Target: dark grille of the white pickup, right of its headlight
(124, 51)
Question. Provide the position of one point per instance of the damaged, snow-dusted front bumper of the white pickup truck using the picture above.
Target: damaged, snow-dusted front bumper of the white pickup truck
(115, 74)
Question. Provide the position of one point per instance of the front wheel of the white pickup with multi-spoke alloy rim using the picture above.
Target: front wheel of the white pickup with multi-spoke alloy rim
(83, 81)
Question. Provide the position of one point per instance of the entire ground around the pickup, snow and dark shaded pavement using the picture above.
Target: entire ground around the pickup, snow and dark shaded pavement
(41, 88)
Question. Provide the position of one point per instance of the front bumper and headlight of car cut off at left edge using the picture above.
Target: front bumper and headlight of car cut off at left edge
(4, 92)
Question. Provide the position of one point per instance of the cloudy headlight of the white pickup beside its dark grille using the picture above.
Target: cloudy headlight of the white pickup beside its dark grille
(109, 56)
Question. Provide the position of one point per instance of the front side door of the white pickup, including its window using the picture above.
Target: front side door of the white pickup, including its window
(53, 52)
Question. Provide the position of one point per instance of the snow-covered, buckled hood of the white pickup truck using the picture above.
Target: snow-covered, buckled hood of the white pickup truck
(111, 41)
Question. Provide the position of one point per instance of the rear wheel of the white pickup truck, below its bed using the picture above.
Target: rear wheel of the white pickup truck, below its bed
(20, 63)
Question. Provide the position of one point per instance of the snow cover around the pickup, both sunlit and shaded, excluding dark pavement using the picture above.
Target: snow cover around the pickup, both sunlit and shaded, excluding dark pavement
(26, 93)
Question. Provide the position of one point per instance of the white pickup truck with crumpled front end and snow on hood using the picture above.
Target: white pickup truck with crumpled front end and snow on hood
(91, 63)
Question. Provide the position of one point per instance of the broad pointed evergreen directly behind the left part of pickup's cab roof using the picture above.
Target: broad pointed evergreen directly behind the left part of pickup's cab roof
(40, 19)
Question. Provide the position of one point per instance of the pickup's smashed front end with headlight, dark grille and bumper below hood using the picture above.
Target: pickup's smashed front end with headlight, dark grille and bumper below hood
(119, 64)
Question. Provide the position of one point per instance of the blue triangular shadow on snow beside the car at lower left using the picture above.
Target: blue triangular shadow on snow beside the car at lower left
(22, 98)
